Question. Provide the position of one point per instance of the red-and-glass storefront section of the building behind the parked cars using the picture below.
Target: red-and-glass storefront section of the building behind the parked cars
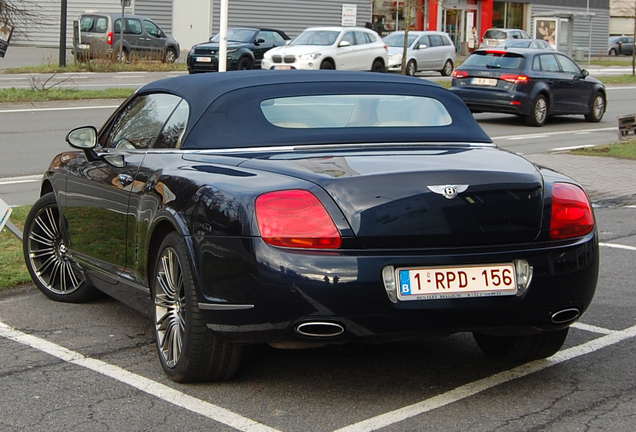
(574, 20)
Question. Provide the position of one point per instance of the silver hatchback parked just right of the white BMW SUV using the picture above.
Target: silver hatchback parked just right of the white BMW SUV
(426, 51)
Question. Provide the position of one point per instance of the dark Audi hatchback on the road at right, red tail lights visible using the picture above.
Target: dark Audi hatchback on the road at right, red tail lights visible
(531, 83)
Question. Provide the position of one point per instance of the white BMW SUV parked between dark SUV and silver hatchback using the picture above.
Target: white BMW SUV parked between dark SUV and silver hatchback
(341, 48)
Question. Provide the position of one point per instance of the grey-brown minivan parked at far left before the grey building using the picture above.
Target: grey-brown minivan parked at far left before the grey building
(99, 37)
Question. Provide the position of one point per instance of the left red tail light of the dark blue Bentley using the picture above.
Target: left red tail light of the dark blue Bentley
(296, 218)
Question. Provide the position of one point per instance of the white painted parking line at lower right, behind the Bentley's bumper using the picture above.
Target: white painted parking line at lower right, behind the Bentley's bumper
(484, 384)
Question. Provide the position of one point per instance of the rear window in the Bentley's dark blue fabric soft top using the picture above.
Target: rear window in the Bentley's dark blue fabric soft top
(343, 111)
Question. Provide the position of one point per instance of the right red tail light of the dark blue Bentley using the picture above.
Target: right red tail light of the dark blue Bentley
(571, 212)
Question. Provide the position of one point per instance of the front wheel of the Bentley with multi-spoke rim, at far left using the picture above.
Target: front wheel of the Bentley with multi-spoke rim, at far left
(52, 269)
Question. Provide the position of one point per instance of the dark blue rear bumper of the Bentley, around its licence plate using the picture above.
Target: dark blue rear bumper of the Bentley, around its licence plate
(263, 293)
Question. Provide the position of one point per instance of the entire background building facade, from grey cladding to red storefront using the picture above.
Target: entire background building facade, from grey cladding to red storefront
(194, 21)
